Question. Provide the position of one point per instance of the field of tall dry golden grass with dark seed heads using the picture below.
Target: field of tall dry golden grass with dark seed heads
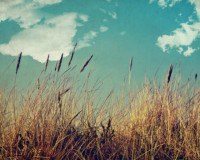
(55, 120)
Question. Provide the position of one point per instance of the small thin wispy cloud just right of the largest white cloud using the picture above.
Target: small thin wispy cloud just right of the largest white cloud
(86, 41)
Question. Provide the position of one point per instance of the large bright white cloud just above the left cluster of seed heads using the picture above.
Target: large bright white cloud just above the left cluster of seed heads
(54, 37)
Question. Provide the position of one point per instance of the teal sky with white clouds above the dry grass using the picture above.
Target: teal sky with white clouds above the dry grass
(156, 33)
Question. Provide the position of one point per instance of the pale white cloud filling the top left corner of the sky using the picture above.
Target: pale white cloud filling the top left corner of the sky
(22, 11)
